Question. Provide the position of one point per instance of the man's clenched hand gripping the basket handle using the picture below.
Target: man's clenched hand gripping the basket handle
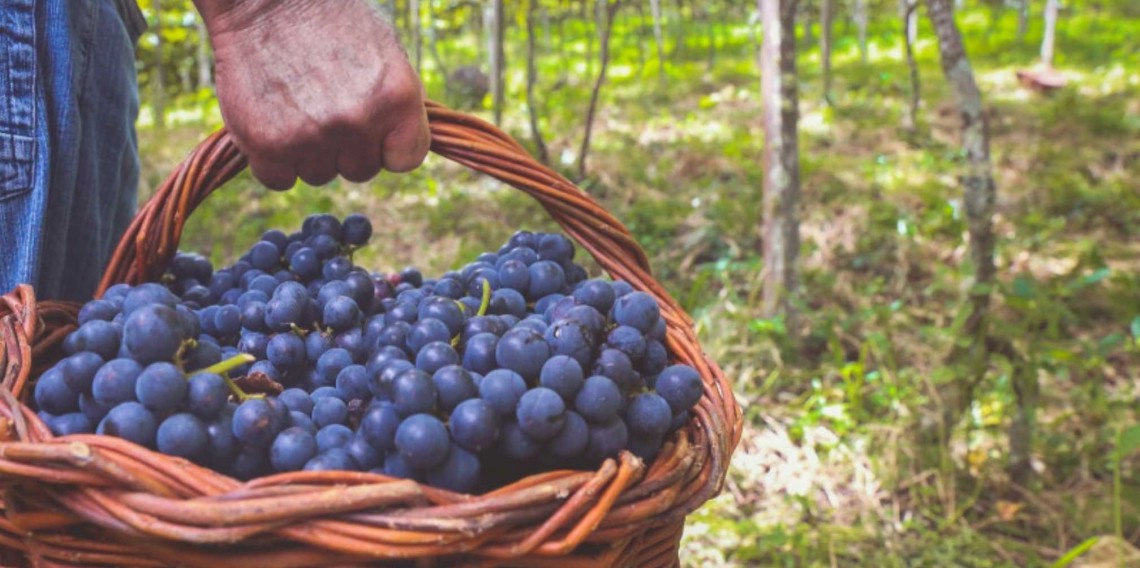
(315, 88)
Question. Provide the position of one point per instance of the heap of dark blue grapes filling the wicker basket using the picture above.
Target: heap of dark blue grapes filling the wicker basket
(517, 363)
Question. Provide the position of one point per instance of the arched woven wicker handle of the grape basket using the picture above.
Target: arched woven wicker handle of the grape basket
(152, 239)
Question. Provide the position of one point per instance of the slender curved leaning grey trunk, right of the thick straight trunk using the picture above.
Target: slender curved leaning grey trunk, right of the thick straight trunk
(972, 355)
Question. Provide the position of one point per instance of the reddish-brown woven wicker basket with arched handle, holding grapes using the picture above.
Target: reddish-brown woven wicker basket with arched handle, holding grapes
(101, 501)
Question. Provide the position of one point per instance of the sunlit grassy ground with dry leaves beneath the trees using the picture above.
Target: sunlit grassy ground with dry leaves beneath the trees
(827, 472)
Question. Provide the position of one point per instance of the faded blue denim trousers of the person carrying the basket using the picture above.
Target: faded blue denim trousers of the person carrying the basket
(79, 103)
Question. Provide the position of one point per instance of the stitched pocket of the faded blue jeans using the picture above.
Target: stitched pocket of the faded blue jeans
(18, 98)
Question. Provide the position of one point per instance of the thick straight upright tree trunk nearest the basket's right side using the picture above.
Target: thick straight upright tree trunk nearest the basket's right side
(781, 157)
